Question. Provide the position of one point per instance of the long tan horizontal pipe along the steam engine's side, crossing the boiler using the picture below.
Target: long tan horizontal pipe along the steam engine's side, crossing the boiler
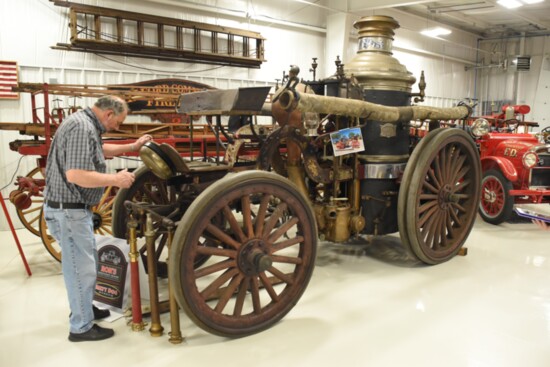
(291, 100)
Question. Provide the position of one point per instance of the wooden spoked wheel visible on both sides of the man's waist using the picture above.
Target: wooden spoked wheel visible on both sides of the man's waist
(102, 218)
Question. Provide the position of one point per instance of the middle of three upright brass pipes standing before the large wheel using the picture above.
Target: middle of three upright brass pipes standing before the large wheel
(156, 327)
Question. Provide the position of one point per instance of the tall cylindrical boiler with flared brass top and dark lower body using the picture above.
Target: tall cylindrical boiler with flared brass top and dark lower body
(383, 81)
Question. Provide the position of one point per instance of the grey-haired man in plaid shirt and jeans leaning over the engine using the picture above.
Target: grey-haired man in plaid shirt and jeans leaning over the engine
(75, 179)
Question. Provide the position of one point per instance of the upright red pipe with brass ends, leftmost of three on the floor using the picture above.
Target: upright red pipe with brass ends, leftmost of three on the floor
(137, 317)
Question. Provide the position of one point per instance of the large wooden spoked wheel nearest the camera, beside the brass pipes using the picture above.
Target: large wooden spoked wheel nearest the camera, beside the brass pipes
(259, 235)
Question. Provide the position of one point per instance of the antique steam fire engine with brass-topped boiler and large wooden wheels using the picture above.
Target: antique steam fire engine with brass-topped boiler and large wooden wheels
(245, 244)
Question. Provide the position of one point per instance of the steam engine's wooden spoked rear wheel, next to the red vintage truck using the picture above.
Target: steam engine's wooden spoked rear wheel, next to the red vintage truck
(439, 195)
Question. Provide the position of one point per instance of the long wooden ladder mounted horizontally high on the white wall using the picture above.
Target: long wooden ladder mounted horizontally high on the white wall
(117, 32)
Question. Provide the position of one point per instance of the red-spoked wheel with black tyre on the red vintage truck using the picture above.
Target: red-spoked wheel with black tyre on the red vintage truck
(496, 204)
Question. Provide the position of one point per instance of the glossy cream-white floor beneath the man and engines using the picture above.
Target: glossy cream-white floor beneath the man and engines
(372, 307)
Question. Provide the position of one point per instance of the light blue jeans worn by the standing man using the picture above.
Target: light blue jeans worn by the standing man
(73, 230)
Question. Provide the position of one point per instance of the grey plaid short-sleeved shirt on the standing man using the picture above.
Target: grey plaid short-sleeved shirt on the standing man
(77, 144)
